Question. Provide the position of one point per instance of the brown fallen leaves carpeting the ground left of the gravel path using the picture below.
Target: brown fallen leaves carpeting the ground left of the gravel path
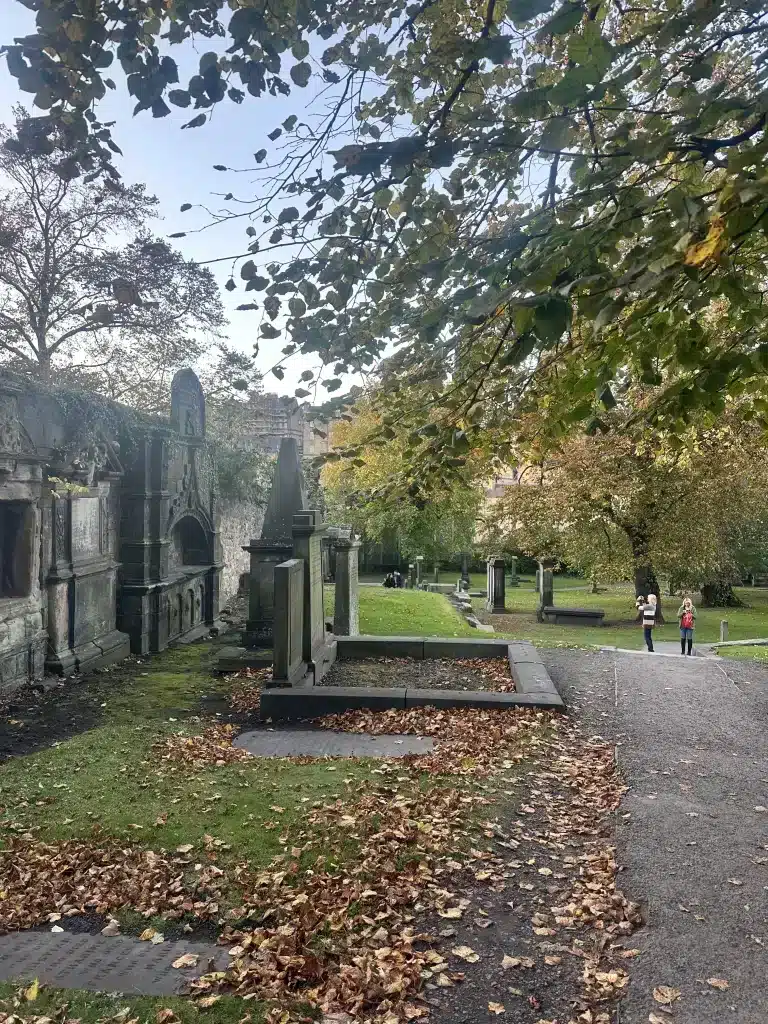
(350, 933)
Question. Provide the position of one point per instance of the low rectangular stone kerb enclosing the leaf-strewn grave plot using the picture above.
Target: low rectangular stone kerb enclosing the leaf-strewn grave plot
(535, 687)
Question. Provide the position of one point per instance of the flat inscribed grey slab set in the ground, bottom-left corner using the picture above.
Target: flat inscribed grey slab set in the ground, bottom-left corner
(120, 964)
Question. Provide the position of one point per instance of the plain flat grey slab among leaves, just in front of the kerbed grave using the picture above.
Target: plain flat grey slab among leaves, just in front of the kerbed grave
(329, 744)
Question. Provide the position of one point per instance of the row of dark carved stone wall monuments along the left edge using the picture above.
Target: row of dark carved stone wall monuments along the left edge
(109, 529)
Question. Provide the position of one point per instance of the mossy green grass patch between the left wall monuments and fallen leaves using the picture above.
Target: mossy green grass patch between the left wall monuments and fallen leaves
(111, 777)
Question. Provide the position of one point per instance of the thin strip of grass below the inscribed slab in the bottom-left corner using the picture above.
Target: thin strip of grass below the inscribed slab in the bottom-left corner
(90, 1008)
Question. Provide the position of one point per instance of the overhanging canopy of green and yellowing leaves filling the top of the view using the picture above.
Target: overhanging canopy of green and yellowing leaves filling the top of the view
(496, 188)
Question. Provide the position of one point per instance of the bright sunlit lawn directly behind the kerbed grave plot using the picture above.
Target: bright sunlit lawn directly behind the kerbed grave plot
(406, 613)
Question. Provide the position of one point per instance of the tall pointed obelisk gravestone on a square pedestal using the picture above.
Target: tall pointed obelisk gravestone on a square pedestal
(287, 497)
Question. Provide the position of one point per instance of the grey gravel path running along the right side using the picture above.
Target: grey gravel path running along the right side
(694, 828)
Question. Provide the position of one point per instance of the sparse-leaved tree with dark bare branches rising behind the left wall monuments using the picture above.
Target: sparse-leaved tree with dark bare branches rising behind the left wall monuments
(88, 295)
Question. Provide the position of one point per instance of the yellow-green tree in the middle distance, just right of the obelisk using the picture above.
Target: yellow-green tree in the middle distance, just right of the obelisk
(366, 492)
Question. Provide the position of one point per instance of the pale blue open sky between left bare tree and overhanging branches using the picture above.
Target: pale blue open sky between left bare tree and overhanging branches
(178, 167)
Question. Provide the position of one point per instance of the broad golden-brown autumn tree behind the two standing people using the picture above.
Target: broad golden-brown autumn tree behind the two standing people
(629, 504)
